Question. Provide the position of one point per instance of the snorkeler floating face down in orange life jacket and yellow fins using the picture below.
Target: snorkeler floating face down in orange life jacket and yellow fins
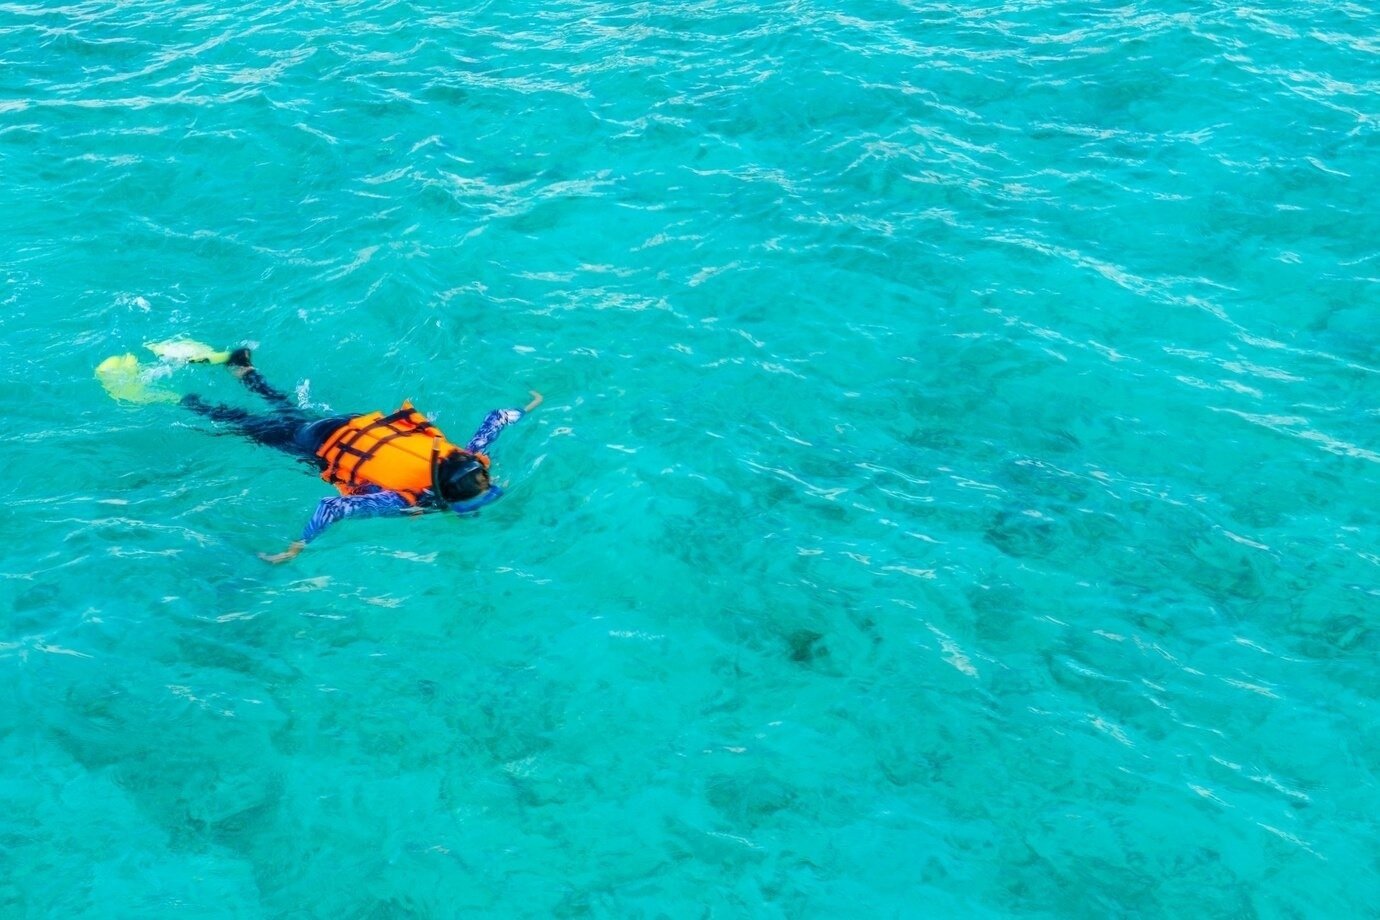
(397, 464)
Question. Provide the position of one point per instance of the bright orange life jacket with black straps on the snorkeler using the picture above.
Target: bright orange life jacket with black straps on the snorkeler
(391, 452)
